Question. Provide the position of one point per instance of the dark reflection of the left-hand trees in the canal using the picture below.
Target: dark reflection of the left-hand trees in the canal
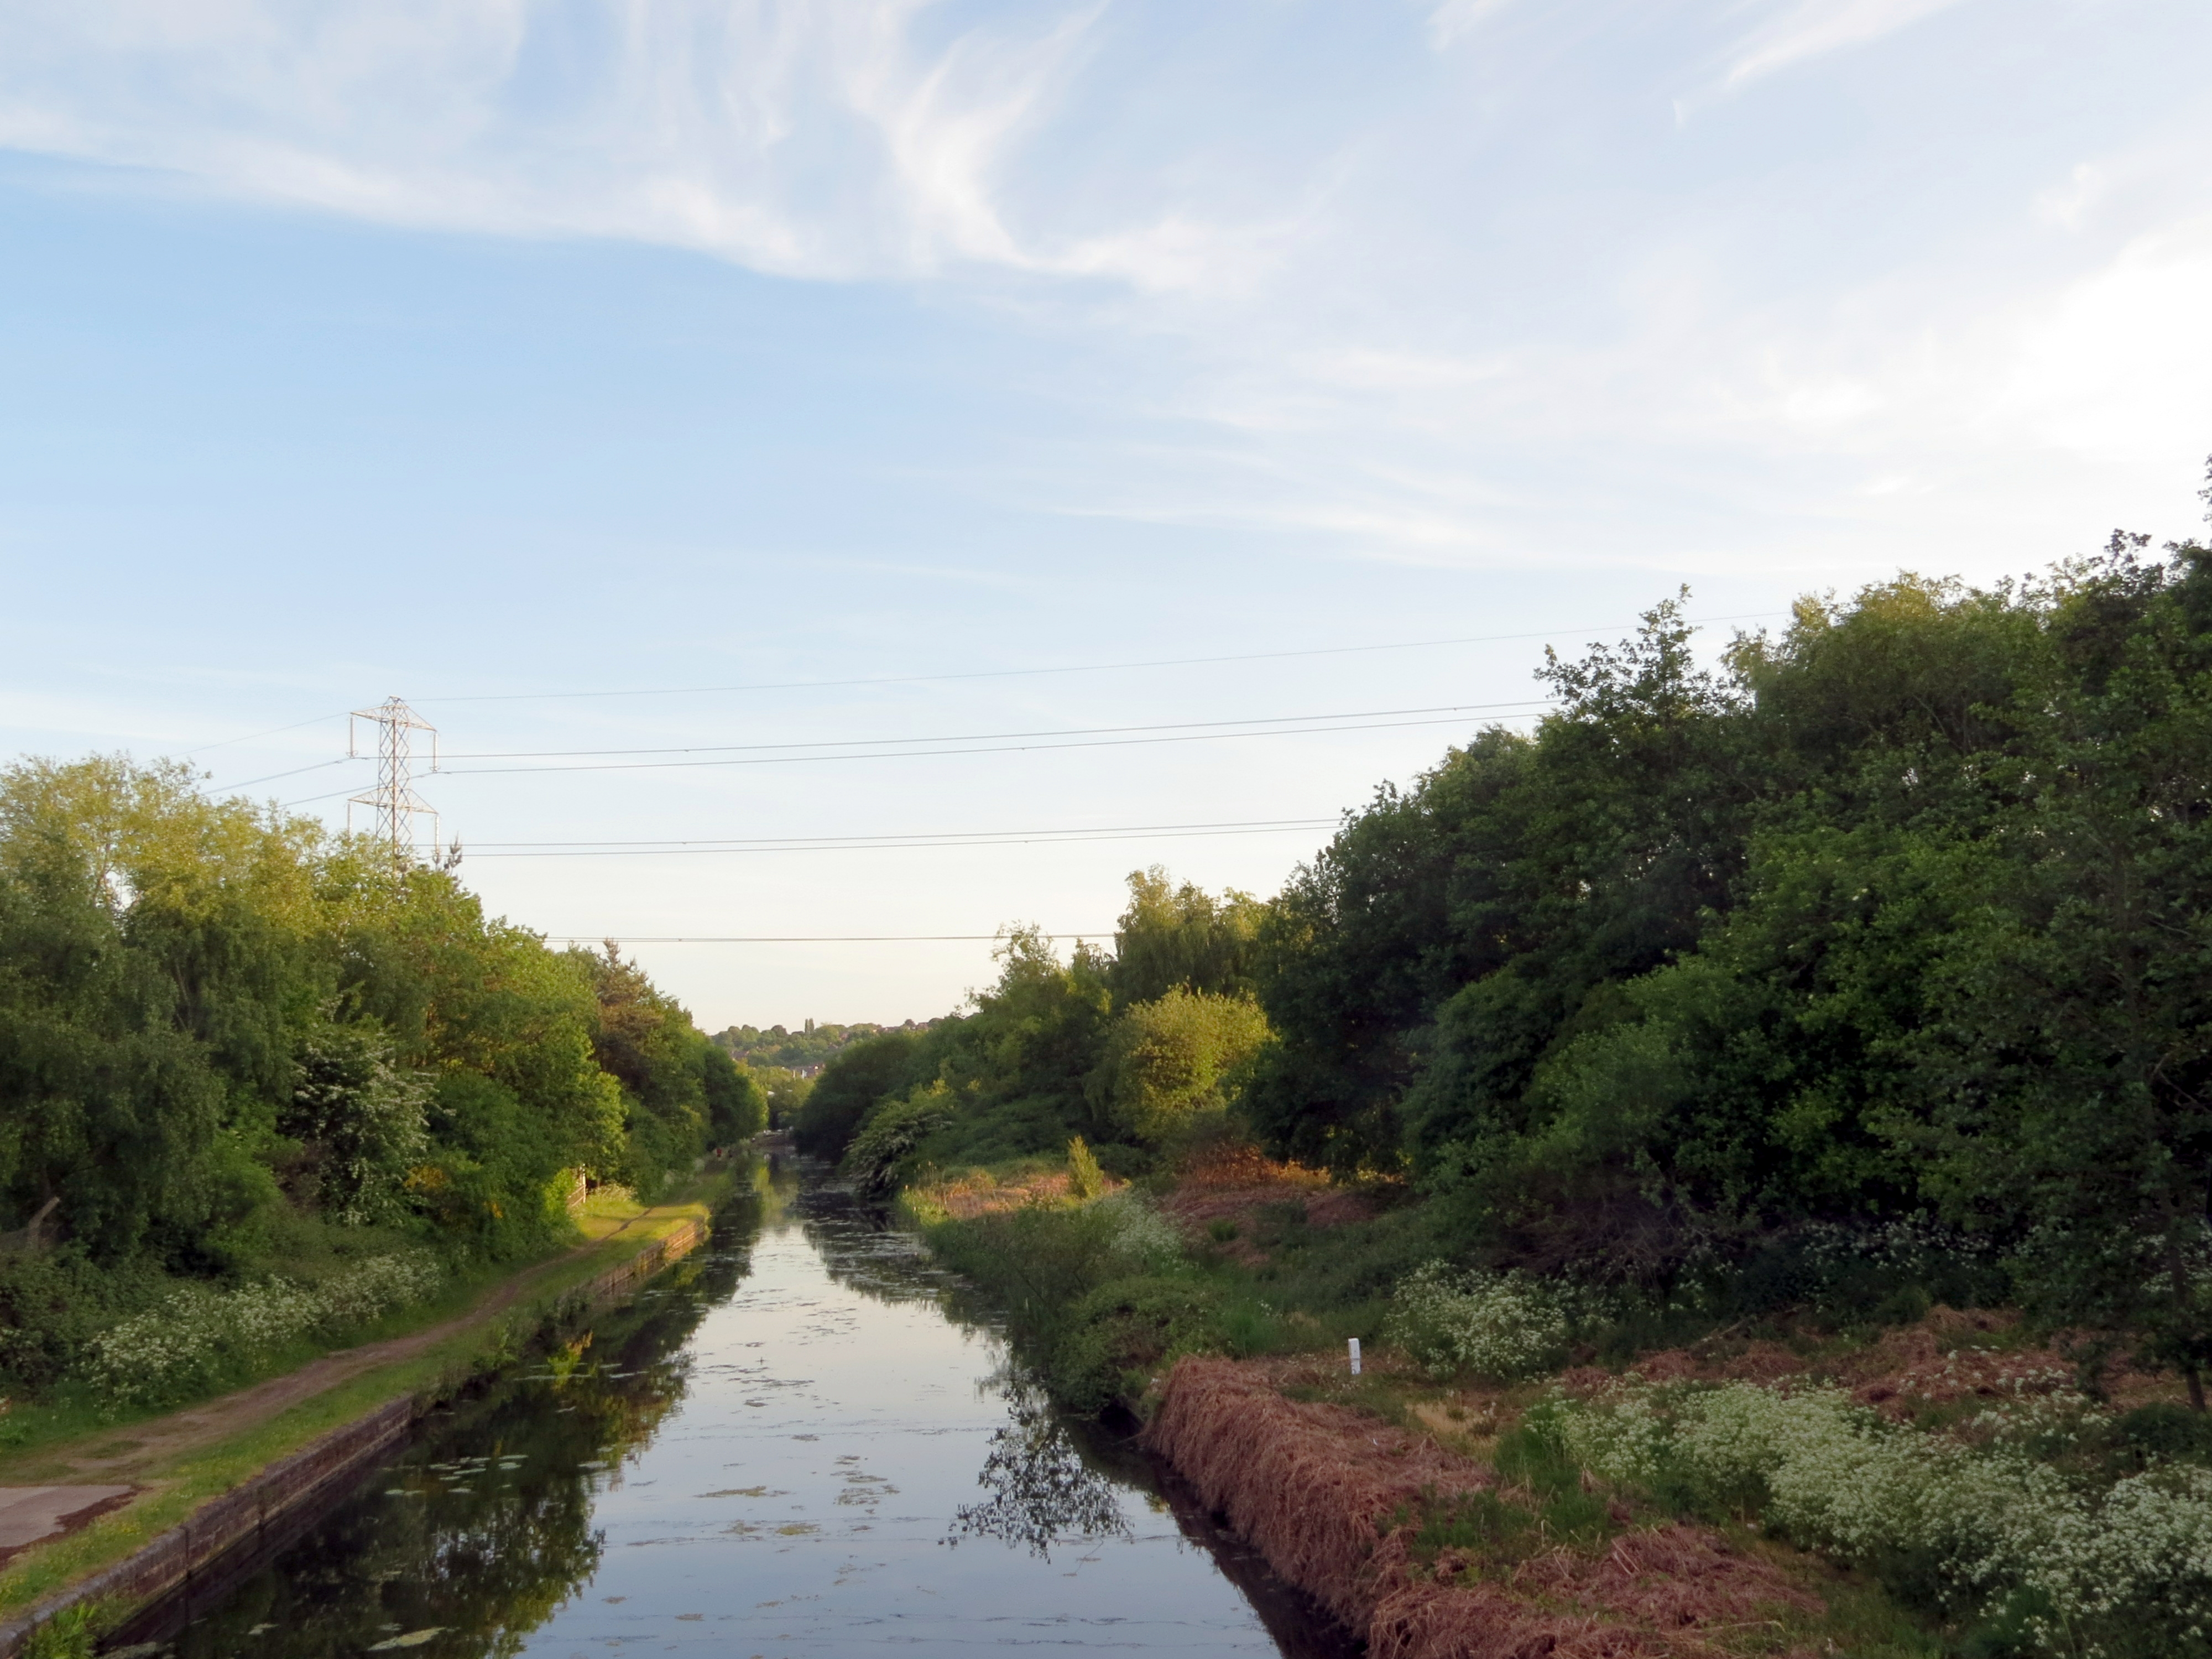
(474, 1550)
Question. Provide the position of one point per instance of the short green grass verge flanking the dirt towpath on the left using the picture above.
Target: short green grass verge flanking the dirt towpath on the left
(616, 1229)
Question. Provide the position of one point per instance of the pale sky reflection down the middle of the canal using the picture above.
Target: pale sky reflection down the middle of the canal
(804, 1492)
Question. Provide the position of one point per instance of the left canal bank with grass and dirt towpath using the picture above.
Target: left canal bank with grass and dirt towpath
(209, 1481)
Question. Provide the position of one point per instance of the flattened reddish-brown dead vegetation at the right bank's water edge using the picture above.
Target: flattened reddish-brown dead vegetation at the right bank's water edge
(1324, 1494)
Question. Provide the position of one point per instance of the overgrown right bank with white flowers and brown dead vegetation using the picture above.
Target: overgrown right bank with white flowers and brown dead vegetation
(1514, 1474)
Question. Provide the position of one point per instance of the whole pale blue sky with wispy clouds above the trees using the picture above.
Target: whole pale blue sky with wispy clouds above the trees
(1083, 435)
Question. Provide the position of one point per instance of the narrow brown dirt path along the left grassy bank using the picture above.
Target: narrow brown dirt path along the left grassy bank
(132, 1454)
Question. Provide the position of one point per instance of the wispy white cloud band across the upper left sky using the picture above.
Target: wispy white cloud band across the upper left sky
(813, 138)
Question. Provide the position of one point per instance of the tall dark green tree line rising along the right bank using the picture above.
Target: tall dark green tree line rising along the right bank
(1897, 921)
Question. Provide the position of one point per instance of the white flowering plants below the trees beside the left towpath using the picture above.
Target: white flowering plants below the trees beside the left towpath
(196, 1337)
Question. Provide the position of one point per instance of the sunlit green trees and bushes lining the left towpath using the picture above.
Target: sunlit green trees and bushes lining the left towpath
(267, 1094)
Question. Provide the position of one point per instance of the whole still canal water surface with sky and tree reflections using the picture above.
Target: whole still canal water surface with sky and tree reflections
(802, 1441)
